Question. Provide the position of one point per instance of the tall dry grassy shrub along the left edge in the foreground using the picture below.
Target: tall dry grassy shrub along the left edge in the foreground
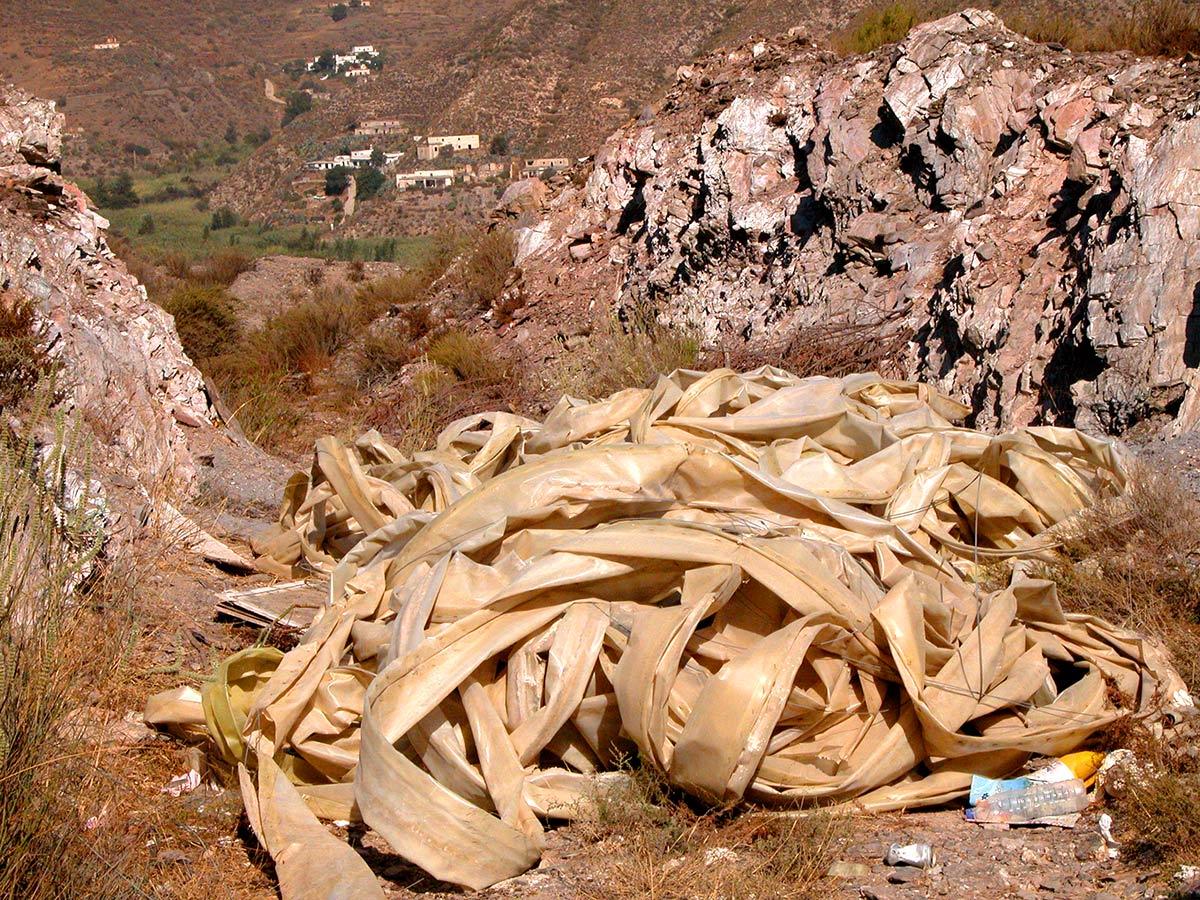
(62, 638)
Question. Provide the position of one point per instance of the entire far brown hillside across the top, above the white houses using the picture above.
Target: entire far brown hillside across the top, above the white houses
(537, 69)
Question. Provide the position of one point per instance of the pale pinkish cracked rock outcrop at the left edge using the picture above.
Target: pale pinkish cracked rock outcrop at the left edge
(122, 364)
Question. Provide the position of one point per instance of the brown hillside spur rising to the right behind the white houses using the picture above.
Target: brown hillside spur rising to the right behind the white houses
(553, 76)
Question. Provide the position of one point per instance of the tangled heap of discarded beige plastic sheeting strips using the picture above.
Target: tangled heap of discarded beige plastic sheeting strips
(765, 585)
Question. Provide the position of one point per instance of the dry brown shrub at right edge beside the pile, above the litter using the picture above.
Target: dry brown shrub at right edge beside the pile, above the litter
(1133, 561)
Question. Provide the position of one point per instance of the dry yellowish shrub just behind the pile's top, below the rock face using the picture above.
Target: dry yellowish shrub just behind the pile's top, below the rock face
(614, 359)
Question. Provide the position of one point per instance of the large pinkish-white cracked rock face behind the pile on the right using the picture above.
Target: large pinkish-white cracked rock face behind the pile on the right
(1031, 217)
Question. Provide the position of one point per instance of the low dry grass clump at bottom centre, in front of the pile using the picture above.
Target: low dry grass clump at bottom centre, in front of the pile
(670, 850)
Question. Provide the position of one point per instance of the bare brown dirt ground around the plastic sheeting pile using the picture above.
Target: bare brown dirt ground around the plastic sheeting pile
(199, 845)
